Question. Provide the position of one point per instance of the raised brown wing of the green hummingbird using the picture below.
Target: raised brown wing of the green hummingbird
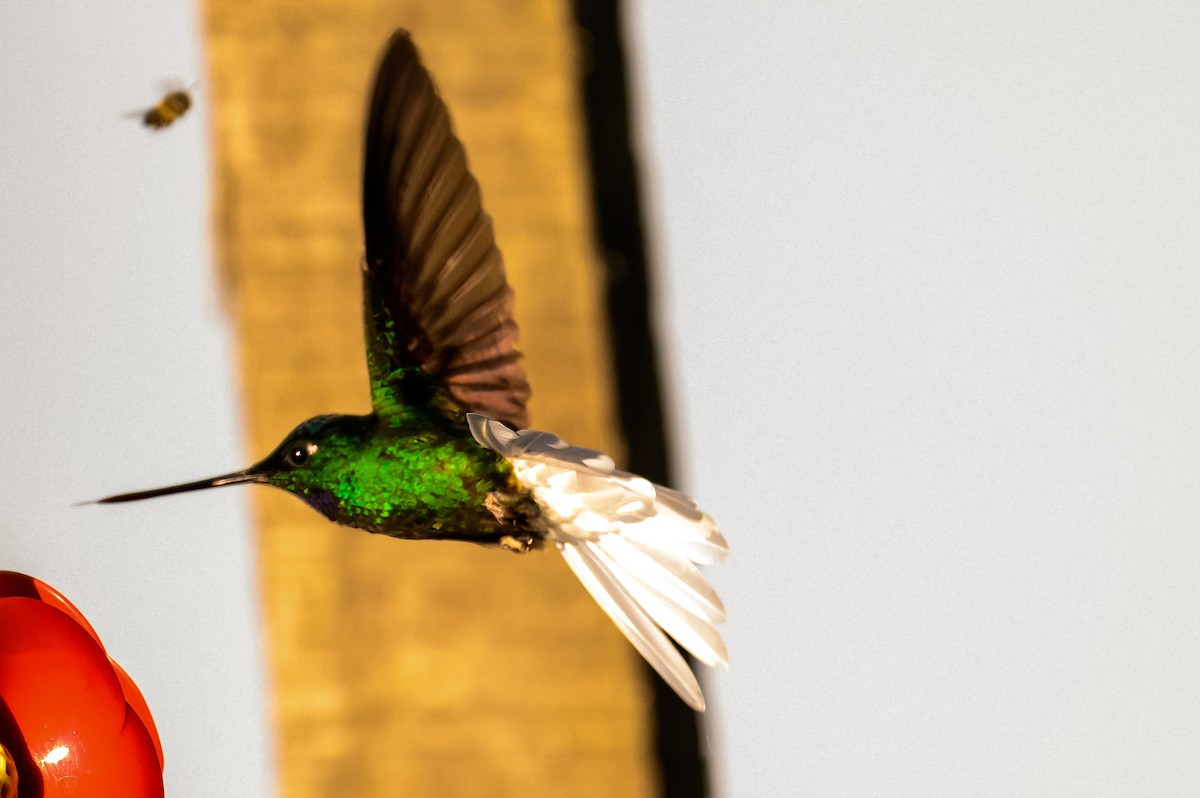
(437, 299)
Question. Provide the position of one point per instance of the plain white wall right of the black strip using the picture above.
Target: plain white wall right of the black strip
(932, 291)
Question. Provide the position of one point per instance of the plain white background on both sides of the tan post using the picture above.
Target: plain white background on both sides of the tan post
(931, 292)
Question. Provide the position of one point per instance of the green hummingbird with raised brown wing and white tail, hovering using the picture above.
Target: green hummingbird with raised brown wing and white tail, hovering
(440, 458)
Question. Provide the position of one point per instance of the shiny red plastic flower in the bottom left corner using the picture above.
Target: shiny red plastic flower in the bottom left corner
(73, 723)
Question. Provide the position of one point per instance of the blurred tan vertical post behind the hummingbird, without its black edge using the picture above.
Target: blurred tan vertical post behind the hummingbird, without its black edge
(417, 669)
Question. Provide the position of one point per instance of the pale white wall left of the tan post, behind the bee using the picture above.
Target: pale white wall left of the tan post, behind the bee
(117, 374)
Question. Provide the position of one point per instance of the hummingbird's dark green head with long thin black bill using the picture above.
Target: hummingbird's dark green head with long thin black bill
(311, 463)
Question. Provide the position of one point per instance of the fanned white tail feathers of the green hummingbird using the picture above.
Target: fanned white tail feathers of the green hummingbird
(633, 544)
